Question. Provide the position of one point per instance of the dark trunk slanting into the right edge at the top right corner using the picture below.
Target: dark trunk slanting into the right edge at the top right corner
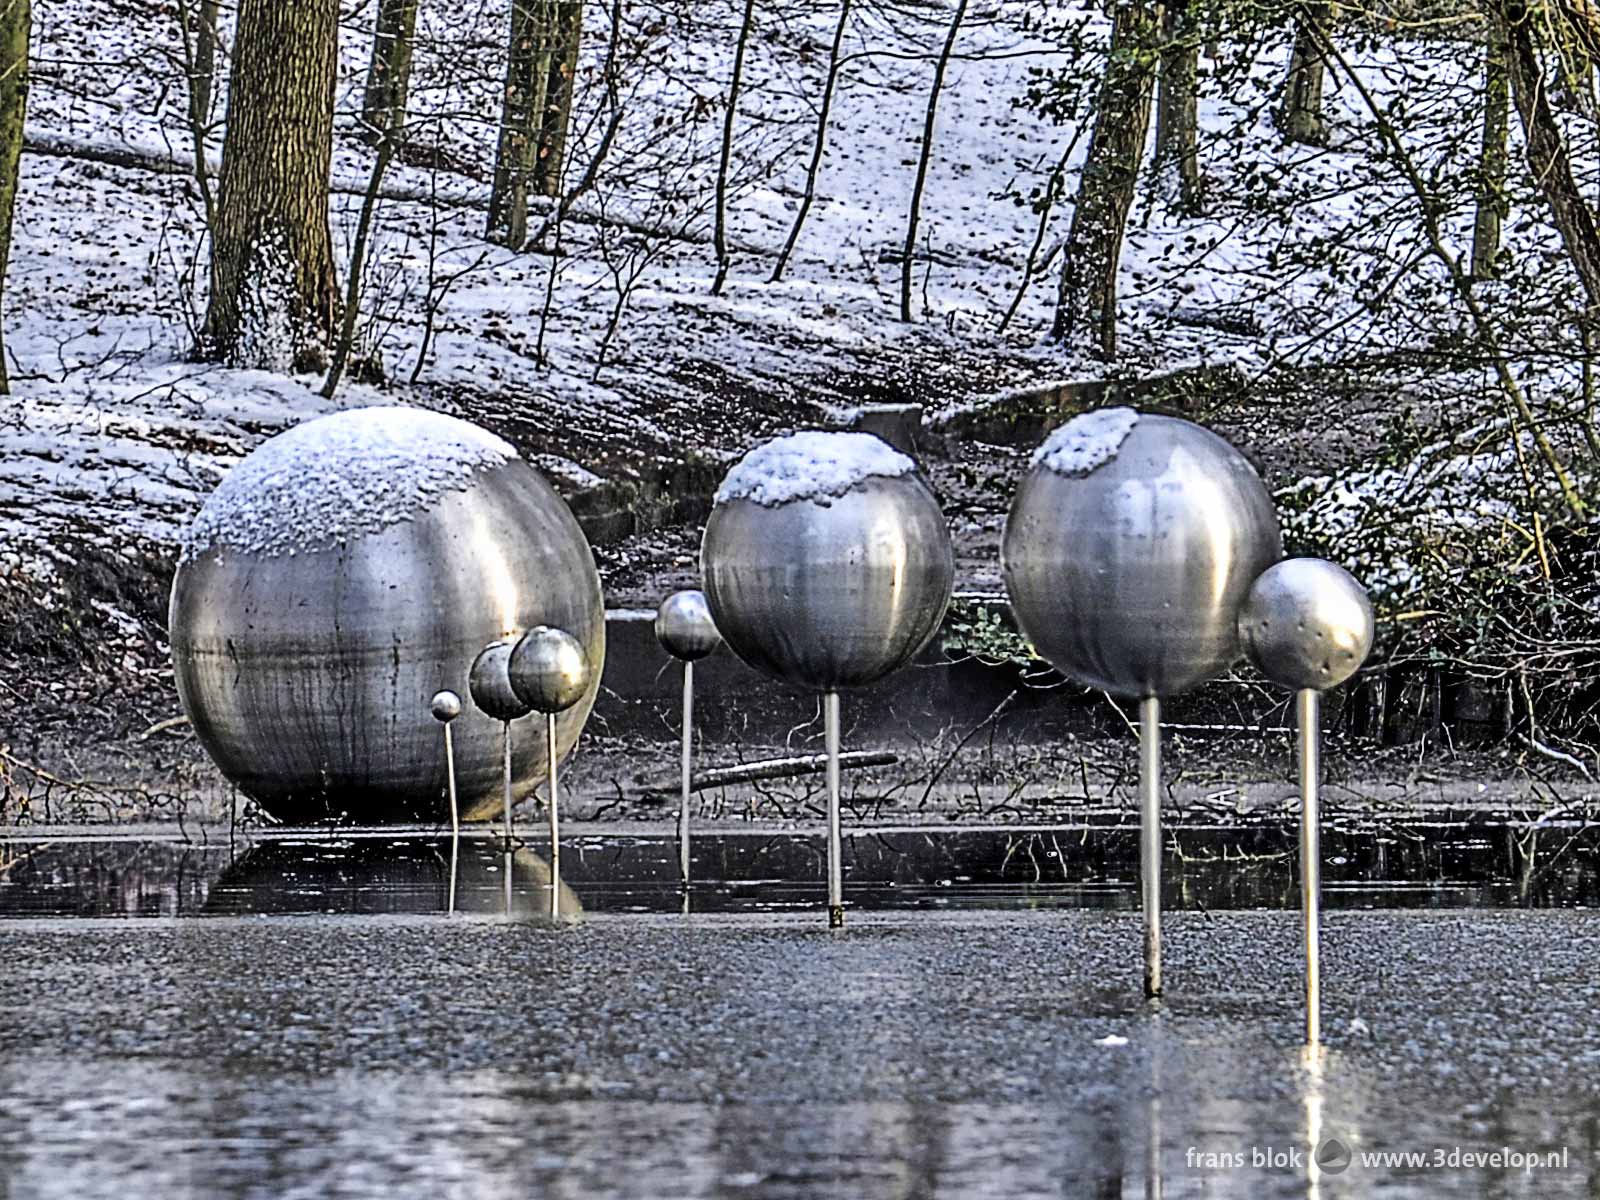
(1546, 150)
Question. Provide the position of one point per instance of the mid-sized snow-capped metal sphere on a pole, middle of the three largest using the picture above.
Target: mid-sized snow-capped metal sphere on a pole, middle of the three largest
(826, 561)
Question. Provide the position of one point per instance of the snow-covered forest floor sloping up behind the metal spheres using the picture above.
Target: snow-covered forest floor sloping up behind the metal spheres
(114, 438)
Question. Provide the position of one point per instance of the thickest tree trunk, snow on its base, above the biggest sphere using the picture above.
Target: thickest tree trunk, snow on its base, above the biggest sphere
(274, 292)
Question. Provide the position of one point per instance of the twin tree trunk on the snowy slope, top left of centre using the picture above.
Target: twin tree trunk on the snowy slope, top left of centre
(542, 58)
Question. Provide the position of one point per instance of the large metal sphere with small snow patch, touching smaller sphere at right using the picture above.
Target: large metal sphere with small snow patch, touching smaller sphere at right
(1130, 548)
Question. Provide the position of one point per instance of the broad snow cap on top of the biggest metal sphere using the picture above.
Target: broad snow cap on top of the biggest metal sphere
(338, 478)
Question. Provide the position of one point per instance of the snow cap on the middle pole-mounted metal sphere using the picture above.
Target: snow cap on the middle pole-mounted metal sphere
(812, 465)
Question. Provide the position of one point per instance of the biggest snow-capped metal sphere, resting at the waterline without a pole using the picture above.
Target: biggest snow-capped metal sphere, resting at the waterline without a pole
(345, 574)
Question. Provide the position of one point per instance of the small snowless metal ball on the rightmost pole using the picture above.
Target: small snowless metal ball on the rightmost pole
(1308, 625)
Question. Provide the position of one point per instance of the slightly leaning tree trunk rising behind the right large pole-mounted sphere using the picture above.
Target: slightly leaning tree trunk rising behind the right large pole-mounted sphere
(1087, 302)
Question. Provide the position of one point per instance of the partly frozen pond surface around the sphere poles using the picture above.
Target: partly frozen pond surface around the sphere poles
(324, 1028)
